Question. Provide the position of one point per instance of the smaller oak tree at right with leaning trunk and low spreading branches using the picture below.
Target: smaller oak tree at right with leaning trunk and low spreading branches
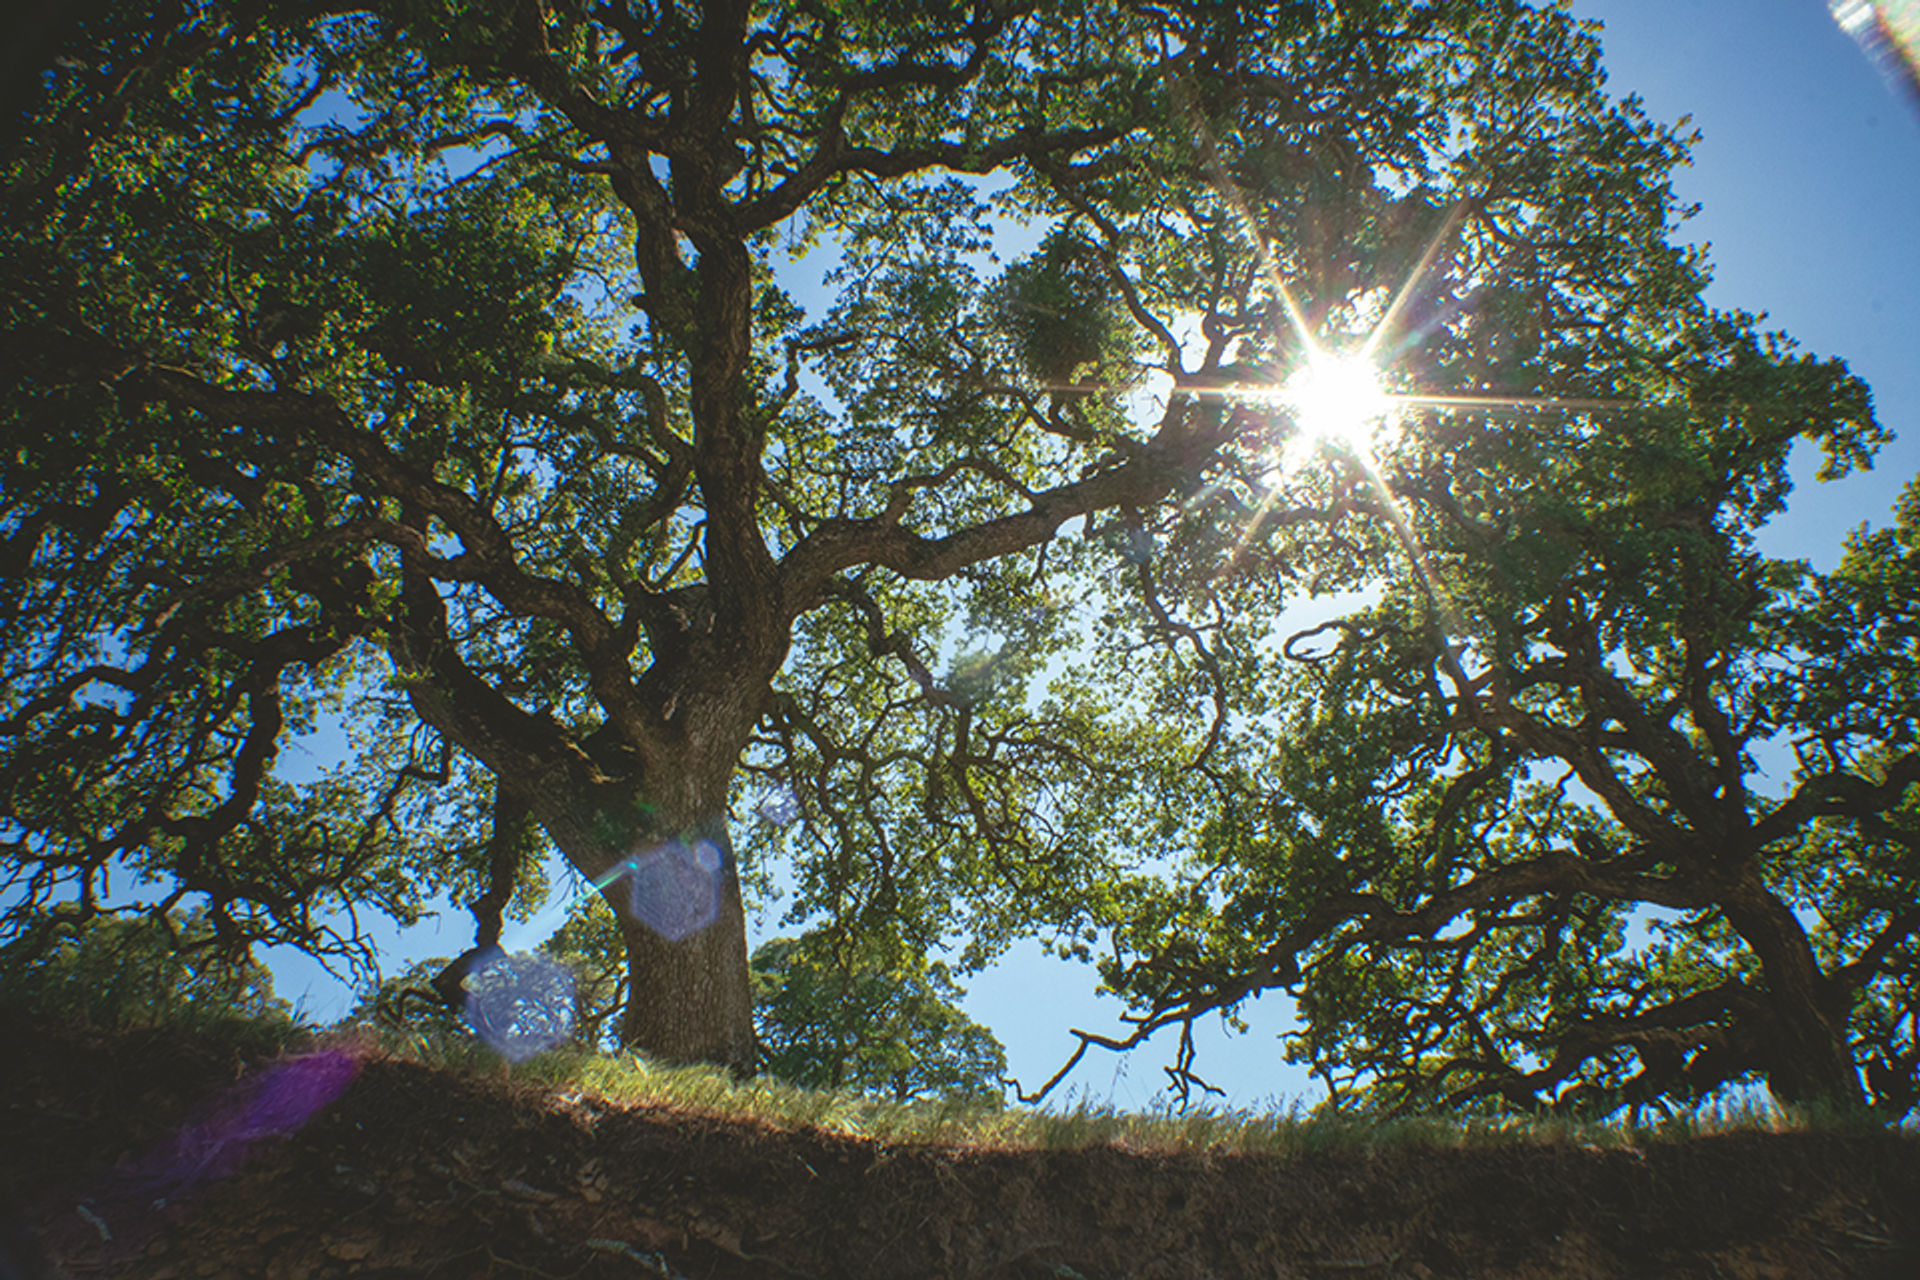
(1595, 807)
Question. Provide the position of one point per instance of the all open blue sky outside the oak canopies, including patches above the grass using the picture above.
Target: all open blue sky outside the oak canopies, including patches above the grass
(1810, 187)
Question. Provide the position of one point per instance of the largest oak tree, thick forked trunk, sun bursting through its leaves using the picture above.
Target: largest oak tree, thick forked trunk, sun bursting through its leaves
(448, 369)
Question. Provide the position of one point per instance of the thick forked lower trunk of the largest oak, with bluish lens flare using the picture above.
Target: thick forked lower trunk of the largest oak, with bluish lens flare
(638, 809)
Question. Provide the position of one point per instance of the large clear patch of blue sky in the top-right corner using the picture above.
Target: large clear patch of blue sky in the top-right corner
(1810, 187)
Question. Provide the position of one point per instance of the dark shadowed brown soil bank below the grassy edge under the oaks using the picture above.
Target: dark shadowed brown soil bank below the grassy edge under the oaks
(420, 1173)
